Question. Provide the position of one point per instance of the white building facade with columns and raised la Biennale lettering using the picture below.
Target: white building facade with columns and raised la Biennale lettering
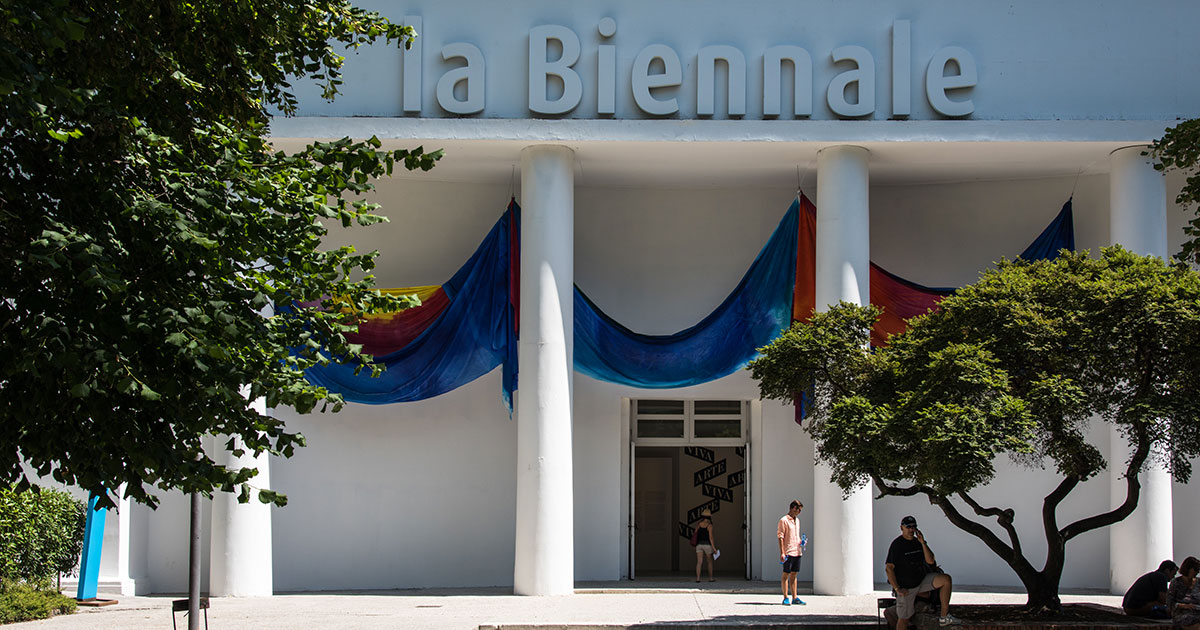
(653, 149)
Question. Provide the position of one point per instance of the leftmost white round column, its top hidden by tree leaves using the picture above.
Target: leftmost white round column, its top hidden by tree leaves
(241, 556)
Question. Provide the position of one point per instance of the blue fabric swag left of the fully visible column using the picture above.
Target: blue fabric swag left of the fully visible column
(473, 335)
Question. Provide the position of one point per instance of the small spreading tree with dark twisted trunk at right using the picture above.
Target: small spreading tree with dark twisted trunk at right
(1025, 364)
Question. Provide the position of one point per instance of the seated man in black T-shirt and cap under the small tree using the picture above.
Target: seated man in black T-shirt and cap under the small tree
(910, 567)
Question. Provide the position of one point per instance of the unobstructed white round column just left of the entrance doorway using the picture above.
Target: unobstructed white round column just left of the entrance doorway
(545, 523)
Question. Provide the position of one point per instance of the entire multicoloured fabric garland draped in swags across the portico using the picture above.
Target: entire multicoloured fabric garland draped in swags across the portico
(469, 327)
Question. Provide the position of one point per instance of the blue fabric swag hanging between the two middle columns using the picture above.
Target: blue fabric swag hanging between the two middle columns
(724, 343)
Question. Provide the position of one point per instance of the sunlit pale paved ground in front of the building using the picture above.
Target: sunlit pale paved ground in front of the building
(609, 604)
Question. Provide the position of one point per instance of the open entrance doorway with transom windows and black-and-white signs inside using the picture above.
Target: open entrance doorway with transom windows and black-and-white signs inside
(688, 457)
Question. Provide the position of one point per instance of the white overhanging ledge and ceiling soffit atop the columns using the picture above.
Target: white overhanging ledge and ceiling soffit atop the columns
(718, 154)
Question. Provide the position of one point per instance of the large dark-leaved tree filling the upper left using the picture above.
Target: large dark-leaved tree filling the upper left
(147, 224)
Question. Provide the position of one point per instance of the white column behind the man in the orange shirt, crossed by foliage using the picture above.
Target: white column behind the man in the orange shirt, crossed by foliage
(842, 529)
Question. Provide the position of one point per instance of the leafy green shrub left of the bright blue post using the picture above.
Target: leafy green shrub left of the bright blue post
(41, 536)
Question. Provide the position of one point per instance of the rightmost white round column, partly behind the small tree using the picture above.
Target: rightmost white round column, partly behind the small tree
(1138, 221)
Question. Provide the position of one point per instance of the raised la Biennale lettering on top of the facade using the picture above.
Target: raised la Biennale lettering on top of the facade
(657, 77)
